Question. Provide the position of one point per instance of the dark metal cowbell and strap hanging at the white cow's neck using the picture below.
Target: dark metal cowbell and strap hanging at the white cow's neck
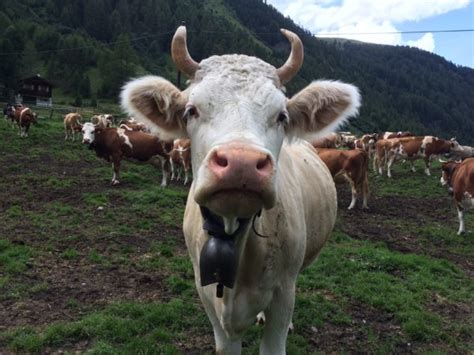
(219, 259)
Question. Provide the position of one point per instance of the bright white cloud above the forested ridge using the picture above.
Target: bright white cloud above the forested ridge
(367, 16)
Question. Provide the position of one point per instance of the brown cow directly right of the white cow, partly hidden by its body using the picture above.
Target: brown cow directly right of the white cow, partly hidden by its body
(351, 166)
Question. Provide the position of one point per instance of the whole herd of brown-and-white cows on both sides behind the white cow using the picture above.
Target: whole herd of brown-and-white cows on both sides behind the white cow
(346, 156)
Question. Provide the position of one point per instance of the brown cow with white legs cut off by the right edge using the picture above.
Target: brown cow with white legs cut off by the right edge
(460, 180)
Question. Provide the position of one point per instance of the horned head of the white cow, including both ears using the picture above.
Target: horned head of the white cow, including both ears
(237, 116)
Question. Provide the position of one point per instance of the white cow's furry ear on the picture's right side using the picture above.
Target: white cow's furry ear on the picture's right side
(321, 107)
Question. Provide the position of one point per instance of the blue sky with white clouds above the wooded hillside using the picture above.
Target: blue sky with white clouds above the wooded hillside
(356, 18)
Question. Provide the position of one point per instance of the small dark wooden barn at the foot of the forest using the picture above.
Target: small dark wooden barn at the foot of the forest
(36, 90)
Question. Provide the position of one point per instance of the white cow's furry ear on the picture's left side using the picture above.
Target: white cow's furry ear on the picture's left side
(157, 103)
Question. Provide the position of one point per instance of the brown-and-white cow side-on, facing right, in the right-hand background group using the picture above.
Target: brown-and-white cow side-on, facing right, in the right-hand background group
(413, 148)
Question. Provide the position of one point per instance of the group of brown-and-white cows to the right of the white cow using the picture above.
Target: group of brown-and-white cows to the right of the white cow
(346, 157)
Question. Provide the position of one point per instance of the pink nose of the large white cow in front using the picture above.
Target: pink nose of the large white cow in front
(241, 162)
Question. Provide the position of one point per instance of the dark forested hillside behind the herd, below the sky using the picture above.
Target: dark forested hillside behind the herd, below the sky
(90, 48)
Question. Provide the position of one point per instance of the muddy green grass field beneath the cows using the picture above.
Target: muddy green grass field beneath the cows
(88, 267)
